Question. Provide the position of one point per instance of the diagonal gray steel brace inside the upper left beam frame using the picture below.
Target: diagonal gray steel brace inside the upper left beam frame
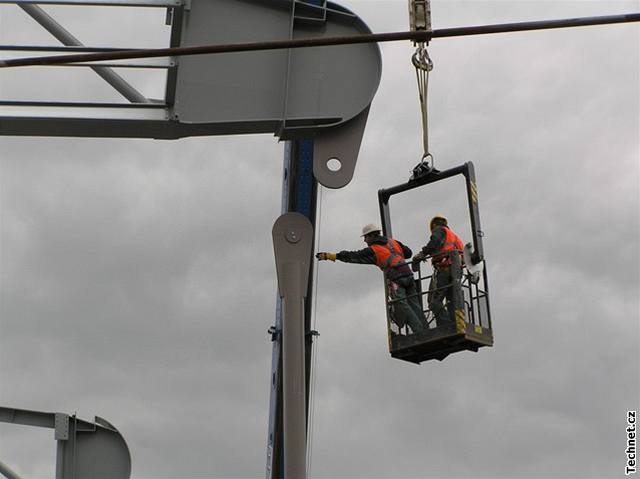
(66, 38)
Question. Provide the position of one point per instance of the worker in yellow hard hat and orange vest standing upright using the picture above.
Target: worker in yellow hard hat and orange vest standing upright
(444, 247)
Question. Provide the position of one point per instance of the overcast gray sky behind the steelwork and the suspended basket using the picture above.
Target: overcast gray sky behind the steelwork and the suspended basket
(138, 279)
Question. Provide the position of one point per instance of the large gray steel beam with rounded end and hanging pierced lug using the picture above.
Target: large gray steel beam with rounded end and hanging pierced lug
(218, 96)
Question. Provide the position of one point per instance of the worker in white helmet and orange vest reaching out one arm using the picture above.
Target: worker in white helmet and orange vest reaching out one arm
(389, 255)
